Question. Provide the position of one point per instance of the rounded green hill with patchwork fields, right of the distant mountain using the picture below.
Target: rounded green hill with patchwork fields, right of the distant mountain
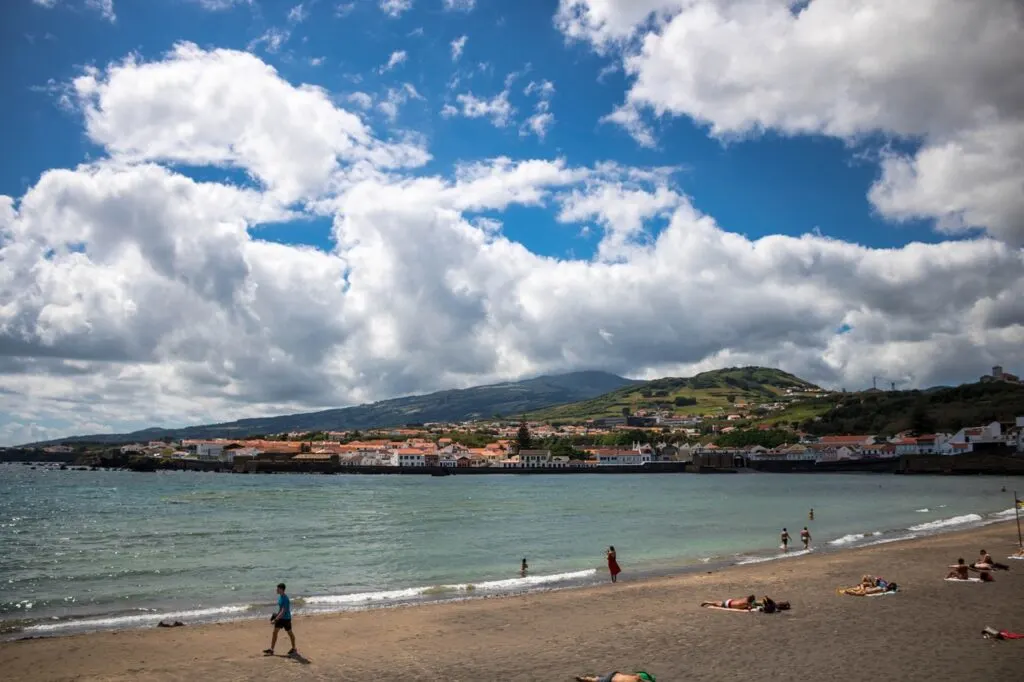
(705, 394)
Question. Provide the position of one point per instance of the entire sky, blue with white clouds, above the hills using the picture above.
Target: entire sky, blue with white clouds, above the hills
(218, 209)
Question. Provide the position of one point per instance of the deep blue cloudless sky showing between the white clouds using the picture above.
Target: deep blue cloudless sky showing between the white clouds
(762, 186)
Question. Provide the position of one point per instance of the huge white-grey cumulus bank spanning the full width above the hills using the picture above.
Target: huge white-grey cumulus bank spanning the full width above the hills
(134, 294)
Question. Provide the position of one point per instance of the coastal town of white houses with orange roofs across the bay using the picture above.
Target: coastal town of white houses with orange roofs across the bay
(445, 446)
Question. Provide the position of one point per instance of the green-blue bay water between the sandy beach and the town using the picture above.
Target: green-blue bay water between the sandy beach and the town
(89, 550)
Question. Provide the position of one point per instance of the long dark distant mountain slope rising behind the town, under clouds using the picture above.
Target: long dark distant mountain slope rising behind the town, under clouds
(508, 400)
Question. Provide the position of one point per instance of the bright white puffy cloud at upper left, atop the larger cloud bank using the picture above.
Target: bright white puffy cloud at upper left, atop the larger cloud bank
(240, 113)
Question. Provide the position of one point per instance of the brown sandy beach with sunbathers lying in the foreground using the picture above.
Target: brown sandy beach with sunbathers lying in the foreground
(931, 631)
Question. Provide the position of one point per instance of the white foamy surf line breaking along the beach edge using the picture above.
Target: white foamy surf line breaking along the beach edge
(423, 595)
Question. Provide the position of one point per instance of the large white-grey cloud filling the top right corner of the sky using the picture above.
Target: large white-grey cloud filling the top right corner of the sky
(847, 70)
